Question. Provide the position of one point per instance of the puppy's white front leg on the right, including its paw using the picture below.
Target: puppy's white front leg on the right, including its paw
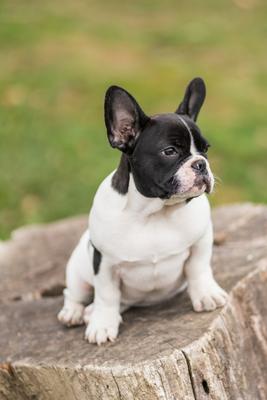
(204, 291)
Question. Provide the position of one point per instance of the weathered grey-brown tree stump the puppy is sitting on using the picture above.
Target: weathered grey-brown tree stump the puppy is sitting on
(163, 352)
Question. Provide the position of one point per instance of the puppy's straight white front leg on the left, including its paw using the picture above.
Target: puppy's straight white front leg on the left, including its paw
(105, 317)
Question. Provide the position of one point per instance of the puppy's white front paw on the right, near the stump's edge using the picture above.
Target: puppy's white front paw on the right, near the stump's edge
(208, 296)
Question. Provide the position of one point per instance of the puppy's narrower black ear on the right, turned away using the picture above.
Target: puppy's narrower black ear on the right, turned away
(193, 99)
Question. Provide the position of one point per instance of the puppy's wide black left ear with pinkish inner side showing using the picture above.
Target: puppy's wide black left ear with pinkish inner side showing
(124, 119)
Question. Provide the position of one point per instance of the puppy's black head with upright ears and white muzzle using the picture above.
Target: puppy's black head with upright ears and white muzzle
(166, 153)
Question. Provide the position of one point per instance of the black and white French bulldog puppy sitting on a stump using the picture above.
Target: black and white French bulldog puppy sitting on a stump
(150, 231)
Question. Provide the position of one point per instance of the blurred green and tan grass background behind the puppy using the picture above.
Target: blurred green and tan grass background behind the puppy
(59, 56)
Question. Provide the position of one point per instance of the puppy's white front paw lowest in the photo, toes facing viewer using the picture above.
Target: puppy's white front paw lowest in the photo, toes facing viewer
(103, 326)
